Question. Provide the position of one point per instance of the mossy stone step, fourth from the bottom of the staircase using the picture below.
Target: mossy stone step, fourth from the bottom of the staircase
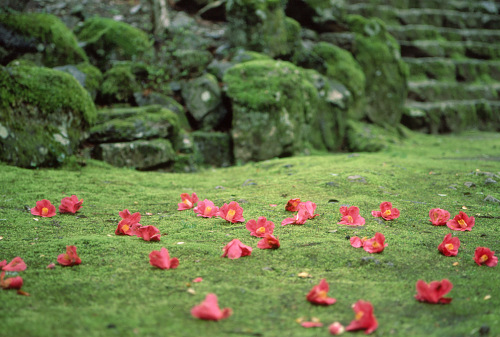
(452, 49)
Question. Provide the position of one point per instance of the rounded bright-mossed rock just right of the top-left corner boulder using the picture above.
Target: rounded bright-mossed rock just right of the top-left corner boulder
(105, 40)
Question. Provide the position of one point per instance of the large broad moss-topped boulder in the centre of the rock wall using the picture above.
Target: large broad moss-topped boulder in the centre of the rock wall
(280, 110)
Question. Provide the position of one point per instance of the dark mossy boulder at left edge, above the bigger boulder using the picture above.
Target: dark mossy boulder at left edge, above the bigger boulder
(40, 37)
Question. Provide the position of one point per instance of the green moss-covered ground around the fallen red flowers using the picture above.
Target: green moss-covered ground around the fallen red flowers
(115, 291)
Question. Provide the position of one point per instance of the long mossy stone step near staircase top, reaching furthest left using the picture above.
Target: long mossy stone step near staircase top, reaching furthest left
(426, 16)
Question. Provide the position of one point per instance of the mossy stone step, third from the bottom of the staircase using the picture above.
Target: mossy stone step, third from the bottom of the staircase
(467, 70)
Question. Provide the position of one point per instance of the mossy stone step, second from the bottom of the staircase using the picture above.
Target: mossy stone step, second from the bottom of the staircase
(432, 91)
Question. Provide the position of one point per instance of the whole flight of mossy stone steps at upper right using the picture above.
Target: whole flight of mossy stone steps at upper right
(452, 49)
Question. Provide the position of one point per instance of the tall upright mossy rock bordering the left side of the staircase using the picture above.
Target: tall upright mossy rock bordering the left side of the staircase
(386, 74)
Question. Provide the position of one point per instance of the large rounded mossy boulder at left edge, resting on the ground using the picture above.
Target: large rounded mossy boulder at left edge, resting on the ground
(44, 115)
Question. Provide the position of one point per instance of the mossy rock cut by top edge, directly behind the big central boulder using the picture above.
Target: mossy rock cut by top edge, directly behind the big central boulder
(262, 26)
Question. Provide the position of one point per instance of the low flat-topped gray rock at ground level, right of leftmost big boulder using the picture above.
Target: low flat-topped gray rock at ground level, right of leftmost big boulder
(139, 154)
